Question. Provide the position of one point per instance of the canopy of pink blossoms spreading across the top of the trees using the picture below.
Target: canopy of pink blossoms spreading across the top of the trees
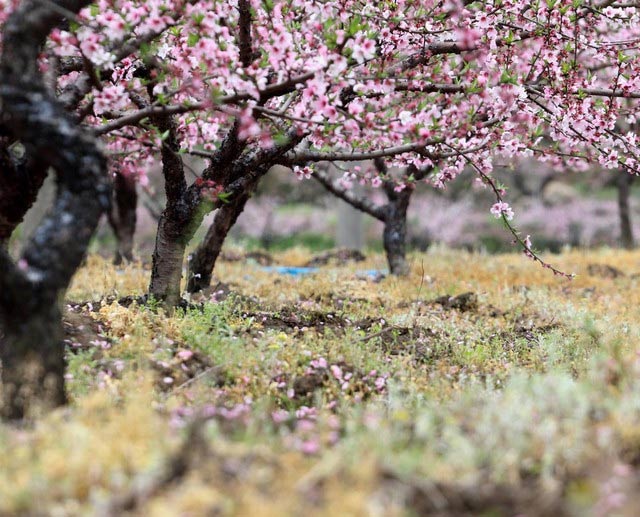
(421, 84)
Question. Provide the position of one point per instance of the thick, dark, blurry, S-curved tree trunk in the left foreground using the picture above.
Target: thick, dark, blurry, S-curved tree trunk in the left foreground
(31, 350)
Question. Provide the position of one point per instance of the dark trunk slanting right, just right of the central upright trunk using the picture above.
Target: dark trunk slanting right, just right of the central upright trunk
(204, 258)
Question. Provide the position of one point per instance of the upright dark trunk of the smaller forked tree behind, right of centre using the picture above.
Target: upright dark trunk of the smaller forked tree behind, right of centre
(394, 236)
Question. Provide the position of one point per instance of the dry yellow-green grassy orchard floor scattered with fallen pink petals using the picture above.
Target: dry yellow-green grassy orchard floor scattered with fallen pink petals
(477, 385)
